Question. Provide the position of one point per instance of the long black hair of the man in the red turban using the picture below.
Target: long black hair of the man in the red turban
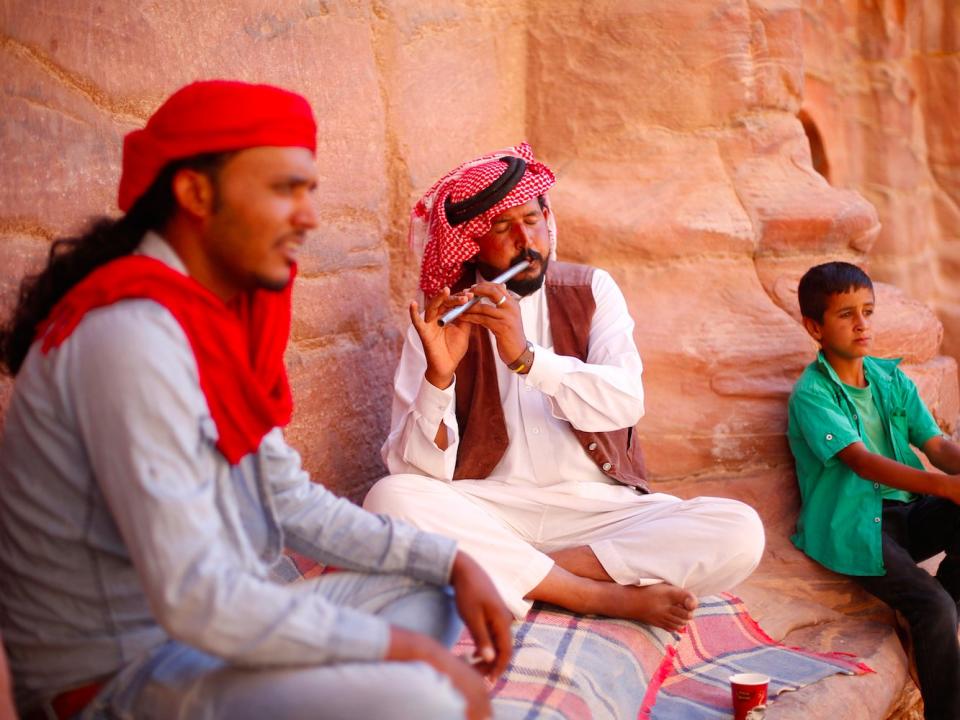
(71, 259)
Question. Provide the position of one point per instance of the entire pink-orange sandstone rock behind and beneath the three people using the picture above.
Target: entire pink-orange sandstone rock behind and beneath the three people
(681, 136)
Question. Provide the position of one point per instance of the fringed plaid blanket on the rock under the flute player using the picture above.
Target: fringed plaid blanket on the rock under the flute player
(567, 667)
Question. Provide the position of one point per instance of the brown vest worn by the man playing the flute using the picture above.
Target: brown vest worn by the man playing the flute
(483, 430)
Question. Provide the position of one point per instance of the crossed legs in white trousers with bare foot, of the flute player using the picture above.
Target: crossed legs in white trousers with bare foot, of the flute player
(645, 559)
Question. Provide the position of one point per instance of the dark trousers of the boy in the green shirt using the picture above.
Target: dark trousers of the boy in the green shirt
(913, 532)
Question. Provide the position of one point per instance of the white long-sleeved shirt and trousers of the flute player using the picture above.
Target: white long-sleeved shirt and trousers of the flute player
(546, 493)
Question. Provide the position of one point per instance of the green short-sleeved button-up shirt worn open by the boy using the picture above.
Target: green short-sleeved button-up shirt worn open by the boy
(840, 517)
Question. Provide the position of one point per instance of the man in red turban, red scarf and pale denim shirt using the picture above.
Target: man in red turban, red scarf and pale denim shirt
(146, 490)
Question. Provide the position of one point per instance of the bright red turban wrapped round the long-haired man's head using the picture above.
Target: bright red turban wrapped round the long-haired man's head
(209, 117)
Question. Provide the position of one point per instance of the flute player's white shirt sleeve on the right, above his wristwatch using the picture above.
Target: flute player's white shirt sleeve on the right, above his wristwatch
(606, 392)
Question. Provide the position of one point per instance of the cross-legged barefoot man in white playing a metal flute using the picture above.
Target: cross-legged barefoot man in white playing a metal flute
(513, 425)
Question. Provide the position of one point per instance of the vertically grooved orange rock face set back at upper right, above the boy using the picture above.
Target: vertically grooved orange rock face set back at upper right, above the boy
(882, 82)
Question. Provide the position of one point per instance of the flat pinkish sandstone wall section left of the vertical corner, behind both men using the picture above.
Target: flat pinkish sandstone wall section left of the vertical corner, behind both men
(401, 90)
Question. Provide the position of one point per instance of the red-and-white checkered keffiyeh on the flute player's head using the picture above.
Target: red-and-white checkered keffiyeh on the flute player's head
(445, 248)
